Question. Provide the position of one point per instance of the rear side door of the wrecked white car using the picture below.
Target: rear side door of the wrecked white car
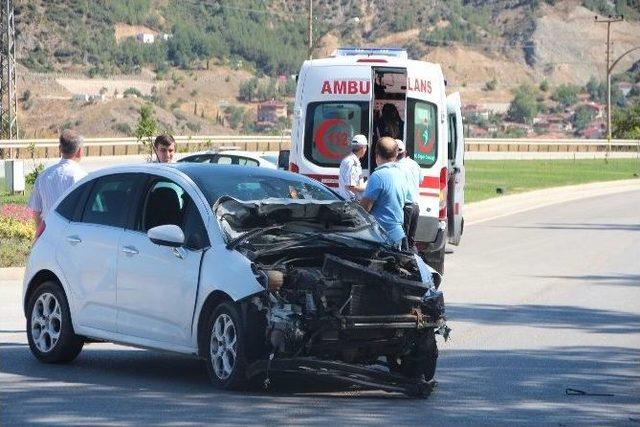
(88, 252)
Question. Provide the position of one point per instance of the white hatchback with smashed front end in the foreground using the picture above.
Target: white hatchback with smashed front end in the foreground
(257, 271)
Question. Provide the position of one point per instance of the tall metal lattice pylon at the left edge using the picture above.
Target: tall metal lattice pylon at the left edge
(8, 95)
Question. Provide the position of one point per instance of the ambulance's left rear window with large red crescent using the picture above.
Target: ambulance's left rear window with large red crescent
(330, 126)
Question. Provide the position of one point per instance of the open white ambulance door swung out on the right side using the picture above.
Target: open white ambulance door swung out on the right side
(455, 185)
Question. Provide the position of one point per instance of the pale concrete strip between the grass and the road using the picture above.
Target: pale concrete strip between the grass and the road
(487, 210)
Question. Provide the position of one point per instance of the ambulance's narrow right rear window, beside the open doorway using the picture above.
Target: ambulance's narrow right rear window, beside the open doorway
(422, 141)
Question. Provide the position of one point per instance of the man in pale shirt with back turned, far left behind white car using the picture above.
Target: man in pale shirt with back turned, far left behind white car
(56, 179)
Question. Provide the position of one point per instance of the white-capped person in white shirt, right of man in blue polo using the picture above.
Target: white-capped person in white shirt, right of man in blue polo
(411, 170)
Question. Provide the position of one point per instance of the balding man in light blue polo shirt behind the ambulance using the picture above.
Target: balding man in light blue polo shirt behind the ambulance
(386, 192)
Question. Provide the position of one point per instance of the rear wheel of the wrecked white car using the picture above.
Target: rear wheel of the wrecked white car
(49, 329)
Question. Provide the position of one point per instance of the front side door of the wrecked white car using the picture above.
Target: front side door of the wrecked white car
(157, 285)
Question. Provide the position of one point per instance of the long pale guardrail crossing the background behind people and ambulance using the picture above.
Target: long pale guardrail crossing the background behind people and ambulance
(278, 141)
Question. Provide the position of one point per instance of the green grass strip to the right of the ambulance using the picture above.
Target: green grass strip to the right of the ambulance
(483, 177)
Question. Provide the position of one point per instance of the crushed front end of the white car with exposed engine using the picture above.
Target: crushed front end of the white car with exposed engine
(338, 302)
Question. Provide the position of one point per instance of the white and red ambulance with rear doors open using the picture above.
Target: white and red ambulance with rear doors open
(378, 92)
